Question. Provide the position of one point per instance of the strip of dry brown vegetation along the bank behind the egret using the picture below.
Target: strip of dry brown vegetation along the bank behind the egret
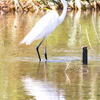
(42, 5)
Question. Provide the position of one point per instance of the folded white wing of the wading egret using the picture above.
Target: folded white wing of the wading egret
(43, 27)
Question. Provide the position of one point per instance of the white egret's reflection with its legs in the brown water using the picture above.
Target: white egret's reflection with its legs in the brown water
(41, 90)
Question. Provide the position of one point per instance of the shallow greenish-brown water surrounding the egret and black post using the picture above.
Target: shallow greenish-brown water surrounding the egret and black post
(24, 78)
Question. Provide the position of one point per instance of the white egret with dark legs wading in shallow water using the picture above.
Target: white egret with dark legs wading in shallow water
(45, 26)
